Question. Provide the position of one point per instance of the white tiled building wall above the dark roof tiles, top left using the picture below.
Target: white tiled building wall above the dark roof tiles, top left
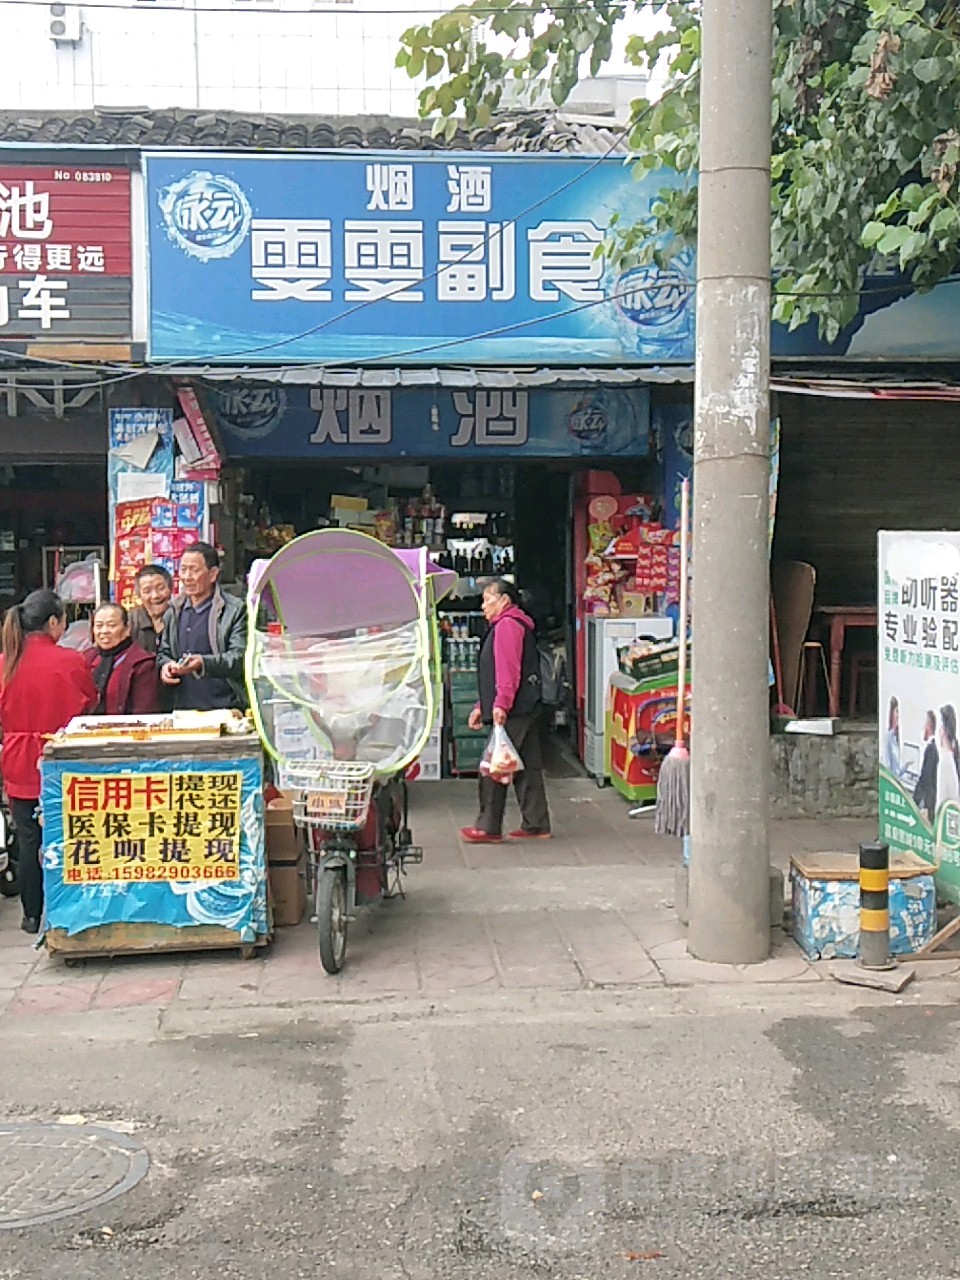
(252, 57)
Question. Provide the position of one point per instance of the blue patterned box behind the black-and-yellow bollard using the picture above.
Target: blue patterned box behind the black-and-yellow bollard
(826, 898)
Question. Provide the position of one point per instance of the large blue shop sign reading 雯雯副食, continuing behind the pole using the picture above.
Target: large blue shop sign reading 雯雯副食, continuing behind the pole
(455, 258)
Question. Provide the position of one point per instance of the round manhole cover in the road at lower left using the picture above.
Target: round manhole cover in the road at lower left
(53, 1171)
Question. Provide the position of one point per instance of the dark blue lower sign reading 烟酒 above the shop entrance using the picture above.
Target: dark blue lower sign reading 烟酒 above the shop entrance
(363, 423)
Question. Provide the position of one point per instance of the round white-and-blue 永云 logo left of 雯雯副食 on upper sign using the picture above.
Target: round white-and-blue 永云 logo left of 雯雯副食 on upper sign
(207, 216)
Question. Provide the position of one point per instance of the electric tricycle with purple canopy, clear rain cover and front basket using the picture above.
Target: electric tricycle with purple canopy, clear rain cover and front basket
(344, 673)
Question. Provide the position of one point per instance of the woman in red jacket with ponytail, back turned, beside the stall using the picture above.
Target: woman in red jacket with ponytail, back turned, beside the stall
(43, 688)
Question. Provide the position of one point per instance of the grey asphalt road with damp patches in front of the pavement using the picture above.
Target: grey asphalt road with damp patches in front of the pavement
(716, 1133)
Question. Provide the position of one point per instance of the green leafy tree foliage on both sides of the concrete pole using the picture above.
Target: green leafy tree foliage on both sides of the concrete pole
(863, 116)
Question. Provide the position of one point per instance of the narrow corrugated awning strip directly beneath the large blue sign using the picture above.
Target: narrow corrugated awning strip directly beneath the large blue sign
(307, 376)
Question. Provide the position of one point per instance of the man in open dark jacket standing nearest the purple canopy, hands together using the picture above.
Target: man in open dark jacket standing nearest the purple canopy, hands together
(205, 638)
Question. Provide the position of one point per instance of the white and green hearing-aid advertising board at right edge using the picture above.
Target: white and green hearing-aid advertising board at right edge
(920, 700)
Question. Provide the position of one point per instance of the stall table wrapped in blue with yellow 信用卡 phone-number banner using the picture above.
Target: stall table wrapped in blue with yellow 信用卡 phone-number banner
(154, 845)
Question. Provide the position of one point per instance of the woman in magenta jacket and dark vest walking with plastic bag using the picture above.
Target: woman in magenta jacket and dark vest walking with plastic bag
(510, 694)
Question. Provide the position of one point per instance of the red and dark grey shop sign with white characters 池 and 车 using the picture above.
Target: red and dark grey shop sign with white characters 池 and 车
(65, 253)
